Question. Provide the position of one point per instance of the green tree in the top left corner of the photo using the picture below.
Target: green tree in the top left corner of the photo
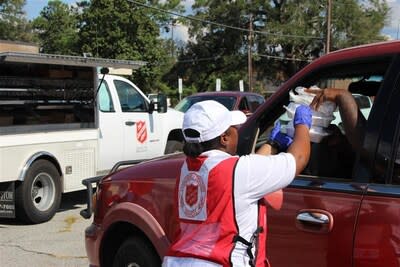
(13, 23)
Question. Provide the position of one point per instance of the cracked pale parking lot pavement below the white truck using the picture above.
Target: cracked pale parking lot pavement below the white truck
(59, 242)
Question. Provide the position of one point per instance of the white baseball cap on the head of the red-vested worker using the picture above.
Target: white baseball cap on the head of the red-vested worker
(210, 119)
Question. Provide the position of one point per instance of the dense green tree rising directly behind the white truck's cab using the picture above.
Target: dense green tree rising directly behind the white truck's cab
(122, 30)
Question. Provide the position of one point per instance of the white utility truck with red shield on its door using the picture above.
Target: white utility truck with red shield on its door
(62, 122)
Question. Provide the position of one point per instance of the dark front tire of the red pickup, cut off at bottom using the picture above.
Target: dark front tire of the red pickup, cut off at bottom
(135, 252)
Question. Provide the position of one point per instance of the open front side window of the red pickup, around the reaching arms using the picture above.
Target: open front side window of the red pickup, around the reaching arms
(333, 156)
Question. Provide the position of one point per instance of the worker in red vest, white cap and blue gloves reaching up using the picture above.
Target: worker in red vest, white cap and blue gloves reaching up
(219, 196)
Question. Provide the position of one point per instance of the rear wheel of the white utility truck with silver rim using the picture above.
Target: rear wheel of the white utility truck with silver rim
(38, 196)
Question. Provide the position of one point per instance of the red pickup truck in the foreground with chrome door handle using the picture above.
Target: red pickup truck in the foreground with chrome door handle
(343, 210)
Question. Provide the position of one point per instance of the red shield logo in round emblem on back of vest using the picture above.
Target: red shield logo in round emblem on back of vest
(192, 195)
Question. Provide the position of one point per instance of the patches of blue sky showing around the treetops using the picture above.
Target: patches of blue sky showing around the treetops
(33, 8)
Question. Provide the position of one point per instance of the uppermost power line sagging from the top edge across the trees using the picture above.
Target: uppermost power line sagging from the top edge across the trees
(223, 25)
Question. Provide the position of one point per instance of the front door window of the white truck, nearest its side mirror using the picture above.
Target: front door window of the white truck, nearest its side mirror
(130, 99)
